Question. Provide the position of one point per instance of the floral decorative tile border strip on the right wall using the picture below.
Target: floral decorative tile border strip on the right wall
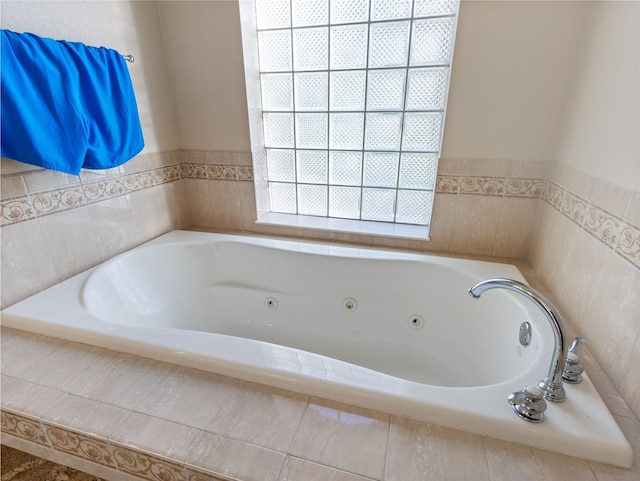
(617, 233)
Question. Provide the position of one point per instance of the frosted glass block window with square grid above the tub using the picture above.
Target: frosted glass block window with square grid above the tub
(353, 96)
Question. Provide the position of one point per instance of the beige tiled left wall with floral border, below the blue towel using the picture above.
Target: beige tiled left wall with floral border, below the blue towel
(55, 225)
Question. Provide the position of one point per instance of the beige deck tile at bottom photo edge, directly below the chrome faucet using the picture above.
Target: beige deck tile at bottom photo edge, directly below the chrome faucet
(508, 461)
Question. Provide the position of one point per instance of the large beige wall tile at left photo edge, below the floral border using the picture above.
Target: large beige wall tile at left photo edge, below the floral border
(27, 266)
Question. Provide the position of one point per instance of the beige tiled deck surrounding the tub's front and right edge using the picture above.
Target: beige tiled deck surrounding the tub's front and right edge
(124, 417)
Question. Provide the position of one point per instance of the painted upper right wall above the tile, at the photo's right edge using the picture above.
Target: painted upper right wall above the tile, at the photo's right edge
(600, 134)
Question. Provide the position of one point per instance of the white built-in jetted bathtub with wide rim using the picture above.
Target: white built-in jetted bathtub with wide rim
(385, 330)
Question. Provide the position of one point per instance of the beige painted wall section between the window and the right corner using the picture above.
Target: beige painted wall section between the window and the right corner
(511, 70)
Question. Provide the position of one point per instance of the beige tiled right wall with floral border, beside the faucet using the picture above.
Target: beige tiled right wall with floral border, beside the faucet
(587, 254)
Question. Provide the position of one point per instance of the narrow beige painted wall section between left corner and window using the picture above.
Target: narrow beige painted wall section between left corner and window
(204, 53)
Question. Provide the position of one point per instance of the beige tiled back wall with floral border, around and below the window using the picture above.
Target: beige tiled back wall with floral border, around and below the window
(482, 207)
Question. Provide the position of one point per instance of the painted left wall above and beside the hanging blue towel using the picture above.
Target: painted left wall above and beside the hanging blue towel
(131, 27)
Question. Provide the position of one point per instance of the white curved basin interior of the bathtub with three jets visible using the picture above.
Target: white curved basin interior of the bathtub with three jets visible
(359, 310)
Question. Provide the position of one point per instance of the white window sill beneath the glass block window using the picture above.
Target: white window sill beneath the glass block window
(384, 229)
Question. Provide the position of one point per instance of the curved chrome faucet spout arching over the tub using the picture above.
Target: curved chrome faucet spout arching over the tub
(551, 385)
